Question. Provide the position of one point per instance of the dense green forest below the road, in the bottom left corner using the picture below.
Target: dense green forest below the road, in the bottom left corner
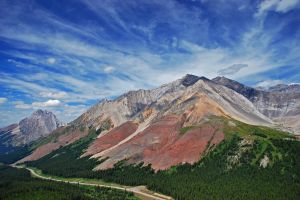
(17, 184)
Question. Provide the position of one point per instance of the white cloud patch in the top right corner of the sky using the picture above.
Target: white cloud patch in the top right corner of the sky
(282, 6)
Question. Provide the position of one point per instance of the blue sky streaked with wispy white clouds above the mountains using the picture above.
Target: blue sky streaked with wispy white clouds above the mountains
(65, 56)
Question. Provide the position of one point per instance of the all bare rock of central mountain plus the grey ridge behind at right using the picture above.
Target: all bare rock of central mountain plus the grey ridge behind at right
(156, 126)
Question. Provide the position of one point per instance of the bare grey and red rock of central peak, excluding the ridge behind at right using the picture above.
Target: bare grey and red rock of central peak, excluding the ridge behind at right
(148, 125)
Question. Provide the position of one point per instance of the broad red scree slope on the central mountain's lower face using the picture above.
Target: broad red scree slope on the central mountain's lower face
(162, 144)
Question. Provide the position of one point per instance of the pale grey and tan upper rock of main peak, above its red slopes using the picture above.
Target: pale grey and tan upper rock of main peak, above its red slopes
(132, 105)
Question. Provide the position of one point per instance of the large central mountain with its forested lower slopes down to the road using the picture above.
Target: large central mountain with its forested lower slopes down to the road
(213, 136)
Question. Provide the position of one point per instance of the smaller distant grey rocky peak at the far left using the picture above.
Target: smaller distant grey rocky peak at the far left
(38, 124)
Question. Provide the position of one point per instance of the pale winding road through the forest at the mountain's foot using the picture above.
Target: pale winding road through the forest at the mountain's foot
(140, 191)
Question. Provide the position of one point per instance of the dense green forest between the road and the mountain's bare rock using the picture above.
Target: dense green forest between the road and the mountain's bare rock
(214, 177)
